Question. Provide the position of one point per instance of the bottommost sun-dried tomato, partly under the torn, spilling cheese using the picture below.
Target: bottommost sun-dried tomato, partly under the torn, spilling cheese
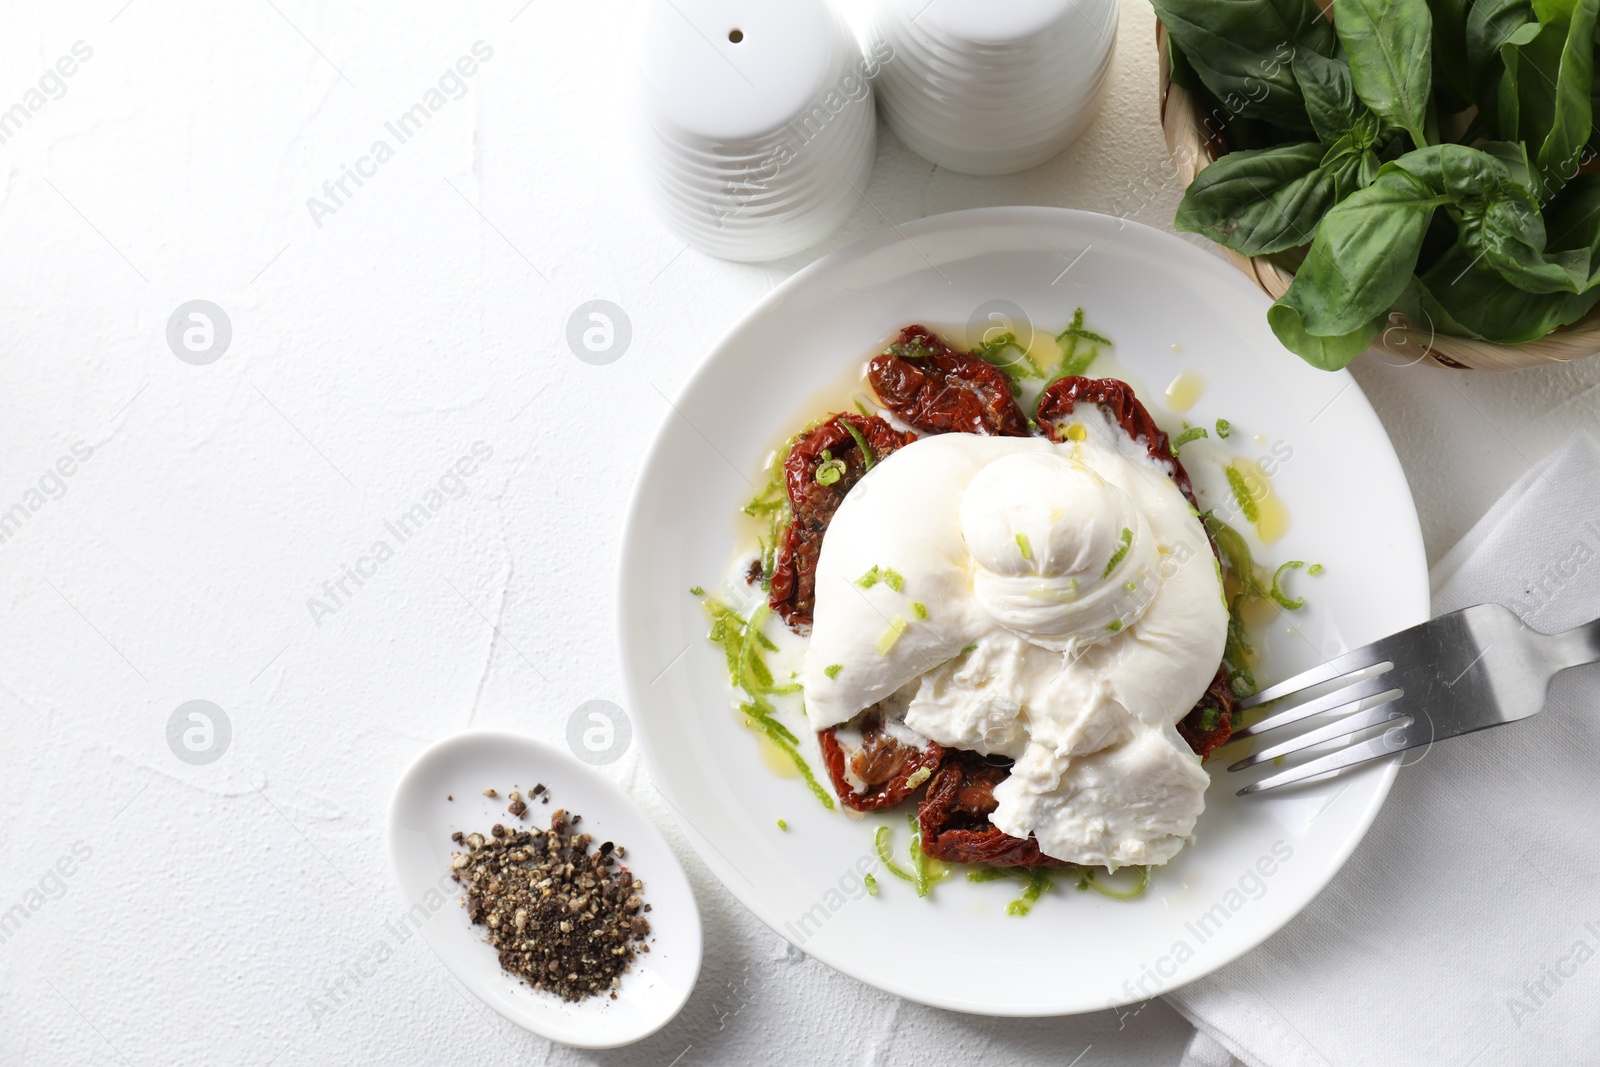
(954, 817)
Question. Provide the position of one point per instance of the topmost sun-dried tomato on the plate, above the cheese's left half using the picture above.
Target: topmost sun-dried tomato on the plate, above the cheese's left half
(937, 390)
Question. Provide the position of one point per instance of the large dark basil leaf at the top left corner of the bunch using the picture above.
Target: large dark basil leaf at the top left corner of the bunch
(1242, 50)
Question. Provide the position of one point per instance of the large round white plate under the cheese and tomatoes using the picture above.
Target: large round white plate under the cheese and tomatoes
(1255, 863)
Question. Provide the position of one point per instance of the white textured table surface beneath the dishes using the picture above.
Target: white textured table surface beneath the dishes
(234, 911)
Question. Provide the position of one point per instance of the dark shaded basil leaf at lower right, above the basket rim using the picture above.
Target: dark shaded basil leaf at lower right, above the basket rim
(1473, 298)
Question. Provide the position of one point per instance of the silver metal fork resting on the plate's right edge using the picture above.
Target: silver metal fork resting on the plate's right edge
(1460, 673)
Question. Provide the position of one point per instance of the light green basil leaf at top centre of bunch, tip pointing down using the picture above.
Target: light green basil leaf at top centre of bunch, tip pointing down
(1391, 50)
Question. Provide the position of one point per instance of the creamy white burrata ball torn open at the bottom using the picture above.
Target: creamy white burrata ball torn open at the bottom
(1057, 604)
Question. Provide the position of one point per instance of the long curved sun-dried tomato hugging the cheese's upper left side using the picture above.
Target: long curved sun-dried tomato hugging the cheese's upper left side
(812, 503)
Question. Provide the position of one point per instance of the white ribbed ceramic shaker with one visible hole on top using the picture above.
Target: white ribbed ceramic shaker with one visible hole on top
(756, 122)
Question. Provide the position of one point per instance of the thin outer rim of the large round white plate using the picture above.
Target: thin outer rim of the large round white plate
(1383, 772)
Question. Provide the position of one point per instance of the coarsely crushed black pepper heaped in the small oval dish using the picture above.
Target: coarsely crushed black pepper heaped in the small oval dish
(562, 917)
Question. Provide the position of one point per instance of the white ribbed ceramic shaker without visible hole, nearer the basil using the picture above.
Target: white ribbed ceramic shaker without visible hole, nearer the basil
(991, 87)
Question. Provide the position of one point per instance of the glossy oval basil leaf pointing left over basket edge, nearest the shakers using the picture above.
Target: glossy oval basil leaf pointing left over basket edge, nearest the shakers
(1260, 202)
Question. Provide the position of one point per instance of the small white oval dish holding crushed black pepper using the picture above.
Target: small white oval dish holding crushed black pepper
(422, 820)
